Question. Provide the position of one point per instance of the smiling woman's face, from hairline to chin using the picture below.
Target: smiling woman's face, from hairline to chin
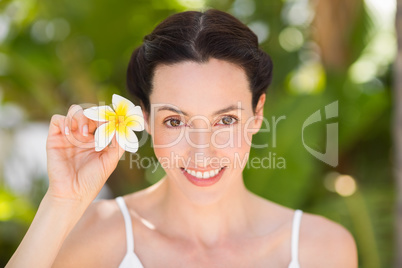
(202, 120)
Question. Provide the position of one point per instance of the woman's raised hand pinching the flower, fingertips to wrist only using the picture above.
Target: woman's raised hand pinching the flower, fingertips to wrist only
(76, 171)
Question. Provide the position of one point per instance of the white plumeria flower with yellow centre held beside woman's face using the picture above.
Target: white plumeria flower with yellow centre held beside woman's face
(123, 119)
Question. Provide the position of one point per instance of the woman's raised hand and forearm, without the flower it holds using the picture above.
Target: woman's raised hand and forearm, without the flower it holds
(76, 174)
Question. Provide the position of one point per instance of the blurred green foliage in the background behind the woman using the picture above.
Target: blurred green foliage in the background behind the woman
(57, 53)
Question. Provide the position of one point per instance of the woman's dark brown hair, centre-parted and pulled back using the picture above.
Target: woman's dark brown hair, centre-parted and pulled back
(197, 36)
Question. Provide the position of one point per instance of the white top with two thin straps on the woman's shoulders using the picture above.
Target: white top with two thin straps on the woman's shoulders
(131, 260)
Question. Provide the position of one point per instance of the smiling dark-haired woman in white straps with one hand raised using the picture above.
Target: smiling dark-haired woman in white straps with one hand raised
(201, 74)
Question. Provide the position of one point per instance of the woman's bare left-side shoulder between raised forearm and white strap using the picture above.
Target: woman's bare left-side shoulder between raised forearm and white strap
(94, 241)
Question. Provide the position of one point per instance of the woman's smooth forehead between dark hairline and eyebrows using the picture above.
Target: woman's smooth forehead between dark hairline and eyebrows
(194, 86)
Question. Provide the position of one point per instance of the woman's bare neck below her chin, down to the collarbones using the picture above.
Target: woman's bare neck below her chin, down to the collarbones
(207, 224)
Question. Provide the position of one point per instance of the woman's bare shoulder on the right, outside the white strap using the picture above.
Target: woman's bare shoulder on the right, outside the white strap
(325, 243)
